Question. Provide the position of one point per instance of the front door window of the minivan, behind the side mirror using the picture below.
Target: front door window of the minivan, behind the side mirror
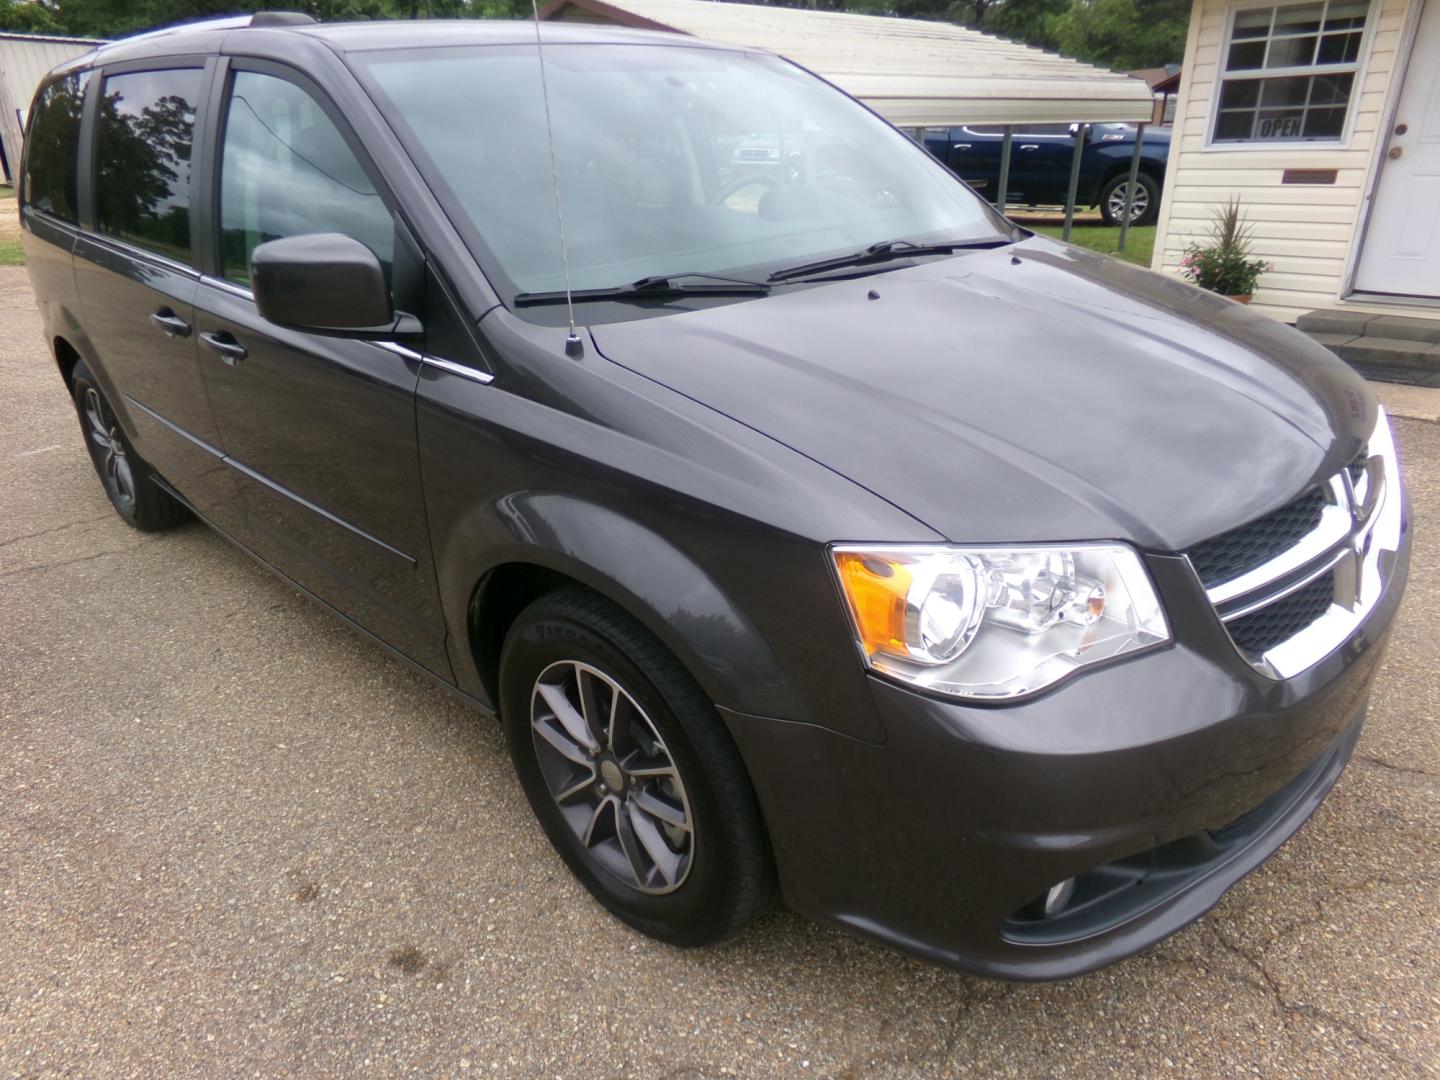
(287, 172)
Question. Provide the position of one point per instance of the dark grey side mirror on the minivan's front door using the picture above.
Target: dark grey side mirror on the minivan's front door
(326, 284)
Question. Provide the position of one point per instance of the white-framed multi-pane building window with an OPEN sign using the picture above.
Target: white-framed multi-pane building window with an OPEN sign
(1290, 73)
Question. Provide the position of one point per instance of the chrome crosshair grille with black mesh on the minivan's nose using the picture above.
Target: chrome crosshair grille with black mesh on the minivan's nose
(1295, 585)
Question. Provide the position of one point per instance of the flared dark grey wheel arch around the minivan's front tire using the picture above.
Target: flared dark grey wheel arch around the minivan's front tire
(631, 565)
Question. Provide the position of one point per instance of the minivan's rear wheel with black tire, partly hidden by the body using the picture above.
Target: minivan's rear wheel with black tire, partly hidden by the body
(125, 476)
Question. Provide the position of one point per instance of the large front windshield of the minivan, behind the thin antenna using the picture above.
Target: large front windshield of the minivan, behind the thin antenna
(672, 161)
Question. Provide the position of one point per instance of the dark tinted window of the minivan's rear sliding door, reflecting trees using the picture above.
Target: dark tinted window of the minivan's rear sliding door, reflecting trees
(143, 159)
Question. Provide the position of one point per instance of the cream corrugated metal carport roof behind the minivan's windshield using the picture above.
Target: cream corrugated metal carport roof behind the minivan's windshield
(912, 73)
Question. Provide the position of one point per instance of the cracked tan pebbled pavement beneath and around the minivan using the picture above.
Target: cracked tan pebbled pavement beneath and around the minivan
(235, 840)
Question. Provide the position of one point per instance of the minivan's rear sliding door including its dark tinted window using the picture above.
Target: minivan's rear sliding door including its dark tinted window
(136, 274)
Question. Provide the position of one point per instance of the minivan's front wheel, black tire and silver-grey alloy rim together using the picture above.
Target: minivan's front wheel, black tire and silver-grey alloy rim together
(631, 773)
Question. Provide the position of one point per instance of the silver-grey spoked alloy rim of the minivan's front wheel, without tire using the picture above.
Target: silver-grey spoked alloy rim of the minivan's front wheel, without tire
(613, 777)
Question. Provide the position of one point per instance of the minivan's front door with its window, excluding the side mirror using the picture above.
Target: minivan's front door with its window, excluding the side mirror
(319, 430)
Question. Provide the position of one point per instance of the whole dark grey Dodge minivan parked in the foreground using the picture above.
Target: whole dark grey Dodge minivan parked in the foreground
(987, 597)
